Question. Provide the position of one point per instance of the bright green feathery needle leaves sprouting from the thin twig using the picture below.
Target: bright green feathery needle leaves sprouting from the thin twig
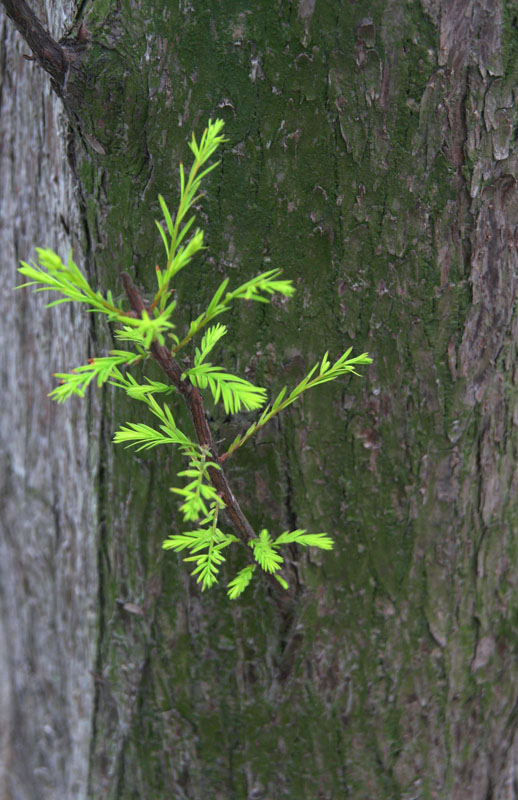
(149, 333)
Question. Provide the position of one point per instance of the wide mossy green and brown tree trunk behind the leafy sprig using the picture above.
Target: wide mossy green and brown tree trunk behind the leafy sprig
(372, 155)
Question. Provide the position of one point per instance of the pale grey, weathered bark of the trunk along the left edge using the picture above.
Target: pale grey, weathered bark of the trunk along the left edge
(48, 561)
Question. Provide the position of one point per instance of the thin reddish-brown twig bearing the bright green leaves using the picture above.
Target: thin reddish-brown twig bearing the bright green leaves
(194, 403)
